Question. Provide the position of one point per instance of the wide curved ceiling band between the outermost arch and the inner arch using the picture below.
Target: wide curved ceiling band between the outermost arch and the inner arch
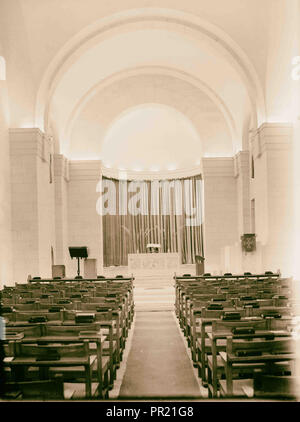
(136, 48)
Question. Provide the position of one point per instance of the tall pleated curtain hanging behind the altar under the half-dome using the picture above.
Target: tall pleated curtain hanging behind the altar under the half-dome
(167, 212)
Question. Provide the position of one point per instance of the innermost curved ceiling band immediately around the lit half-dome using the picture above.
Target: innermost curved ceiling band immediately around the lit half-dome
(93, 118)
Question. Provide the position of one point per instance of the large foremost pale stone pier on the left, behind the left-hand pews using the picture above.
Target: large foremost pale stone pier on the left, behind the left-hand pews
(32, 197)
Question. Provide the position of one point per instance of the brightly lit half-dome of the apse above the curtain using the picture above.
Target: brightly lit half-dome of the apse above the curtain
(151, 137)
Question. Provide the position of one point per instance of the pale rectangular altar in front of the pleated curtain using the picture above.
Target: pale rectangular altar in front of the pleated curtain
(153, 263)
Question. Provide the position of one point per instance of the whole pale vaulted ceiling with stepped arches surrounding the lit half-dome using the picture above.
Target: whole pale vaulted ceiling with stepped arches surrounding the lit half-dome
(197, 58)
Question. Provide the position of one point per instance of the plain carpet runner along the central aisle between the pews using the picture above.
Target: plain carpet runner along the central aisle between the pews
(158, 365)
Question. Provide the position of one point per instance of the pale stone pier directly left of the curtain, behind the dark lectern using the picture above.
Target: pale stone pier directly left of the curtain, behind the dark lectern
(84, 223)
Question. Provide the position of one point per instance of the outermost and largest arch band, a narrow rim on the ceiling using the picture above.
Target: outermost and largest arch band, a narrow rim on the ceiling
(181, 21)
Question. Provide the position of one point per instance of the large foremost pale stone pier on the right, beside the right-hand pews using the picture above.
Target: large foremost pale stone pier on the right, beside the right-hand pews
(272, 189)
